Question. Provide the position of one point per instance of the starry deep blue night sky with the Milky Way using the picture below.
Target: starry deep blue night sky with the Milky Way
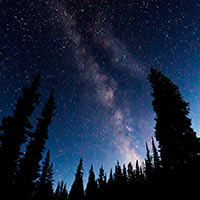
(97, 54)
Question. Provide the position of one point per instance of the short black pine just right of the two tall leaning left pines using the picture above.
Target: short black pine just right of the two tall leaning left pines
(45, 183)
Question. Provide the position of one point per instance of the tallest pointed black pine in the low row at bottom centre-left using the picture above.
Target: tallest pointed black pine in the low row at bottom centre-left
(77, 191)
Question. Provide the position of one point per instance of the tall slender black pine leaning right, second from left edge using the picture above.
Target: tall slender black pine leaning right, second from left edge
(30, 164)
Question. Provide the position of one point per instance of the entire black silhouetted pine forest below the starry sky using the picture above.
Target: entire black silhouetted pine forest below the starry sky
(174, 167)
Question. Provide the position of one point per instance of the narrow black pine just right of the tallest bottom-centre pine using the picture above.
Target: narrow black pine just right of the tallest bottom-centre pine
(91, 189)
